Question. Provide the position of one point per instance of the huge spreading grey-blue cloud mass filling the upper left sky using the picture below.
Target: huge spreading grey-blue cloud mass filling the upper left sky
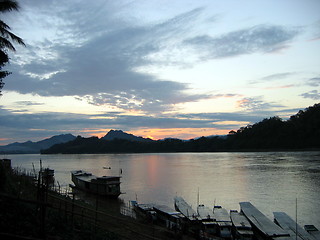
(101, 66)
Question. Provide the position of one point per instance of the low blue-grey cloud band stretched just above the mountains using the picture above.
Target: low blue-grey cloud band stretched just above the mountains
(41, 125)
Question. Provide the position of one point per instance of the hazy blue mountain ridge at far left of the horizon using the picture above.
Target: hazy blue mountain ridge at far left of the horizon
(35, 147)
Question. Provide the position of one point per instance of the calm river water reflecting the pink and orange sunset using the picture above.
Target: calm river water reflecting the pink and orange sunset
(272, 181)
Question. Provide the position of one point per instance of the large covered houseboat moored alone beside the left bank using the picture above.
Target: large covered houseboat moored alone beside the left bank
(108, 186)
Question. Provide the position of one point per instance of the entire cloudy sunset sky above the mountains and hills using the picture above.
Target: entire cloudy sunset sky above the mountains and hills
(158, 68)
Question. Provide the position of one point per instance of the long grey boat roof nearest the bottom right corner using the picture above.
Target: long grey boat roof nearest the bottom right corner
(288, 224)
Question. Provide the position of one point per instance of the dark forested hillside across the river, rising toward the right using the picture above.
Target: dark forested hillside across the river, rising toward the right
(301, 131)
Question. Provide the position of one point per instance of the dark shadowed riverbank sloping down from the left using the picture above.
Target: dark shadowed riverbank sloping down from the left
(29, 209)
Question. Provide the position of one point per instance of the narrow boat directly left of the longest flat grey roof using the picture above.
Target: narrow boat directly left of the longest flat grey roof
(241, 227)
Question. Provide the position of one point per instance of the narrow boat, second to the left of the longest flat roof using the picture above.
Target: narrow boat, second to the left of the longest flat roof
(222, 221)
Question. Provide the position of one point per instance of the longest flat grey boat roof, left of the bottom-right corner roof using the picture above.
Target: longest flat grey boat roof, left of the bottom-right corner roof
(259, 220)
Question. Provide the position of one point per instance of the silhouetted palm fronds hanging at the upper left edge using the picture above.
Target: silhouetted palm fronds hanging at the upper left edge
(7, 37)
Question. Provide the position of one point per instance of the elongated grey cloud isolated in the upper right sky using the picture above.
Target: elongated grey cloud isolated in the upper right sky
(260, 38)
